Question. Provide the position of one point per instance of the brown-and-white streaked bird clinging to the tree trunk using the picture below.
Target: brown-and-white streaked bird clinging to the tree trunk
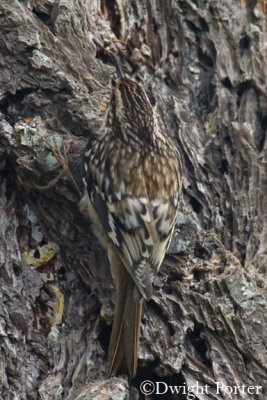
(132, 184)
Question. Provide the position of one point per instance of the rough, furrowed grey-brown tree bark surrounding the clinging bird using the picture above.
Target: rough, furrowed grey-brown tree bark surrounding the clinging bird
(203, 65)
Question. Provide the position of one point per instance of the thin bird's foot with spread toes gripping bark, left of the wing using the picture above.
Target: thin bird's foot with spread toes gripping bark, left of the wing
(62, 160)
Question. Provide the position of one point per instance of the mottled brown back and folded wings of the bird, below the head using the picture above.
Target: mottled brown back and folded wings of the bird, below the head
(136, 202)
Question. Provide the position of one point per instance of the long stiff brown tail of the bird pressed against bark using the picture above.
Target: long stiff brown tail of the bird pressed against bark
(124, 341)
